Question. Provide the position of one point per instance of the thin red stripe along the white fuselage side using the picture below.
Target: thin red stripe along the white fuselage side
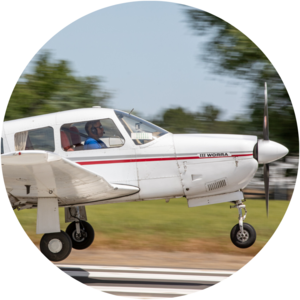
(84, 163)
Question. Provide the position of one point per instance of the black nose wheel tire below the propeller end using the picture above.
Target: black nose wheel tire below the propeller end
(246, 241)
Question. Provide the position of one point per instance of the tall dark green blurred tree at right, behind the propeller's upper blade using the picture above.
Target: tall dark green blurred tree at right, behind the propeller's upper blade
(230, 52)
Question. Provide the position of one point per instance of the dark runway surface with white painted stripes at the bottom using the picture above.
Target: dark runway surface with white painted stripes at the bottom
(145, 283)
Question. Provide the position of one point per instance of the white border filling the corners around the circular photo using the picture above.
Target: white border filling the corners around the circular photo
(27, 25)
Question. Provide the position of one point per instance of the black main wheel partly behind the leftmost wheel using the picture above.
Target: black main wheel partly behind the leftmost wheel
(87, 237)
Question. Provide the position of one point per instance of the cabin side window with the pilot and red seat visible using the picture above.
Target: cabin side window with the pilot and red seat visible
(90, 135)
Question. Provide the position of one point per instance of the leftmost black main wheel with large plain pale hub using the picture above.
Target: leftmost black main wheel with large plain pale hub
(56, 250)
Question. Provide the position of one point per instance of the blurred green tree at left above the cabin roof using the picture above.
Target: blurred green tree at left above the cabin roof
(53, 87)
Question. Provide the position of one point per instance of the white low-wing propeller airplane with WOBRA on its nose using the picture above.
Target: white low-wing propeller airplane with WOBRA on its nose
(96, 155)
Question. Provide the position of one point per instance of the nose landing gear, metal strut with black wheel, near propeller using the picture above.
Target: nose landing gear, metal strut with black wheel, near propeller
(242, 234)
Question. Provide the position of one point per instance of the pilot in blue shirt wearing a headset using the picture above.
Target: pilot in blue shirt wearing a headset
(95, 131)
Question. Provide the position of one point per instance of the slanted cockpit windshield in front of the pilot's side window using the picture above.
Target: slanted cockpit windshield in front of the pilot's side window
(141, 131)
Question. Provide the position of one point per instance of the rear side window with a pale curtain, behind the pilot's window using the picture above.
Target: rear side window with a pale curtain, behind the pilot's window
(36, 139)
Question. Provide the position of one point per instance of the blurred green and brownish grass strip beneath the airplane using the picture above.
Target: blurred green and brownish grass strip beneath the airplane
(156, 225)
